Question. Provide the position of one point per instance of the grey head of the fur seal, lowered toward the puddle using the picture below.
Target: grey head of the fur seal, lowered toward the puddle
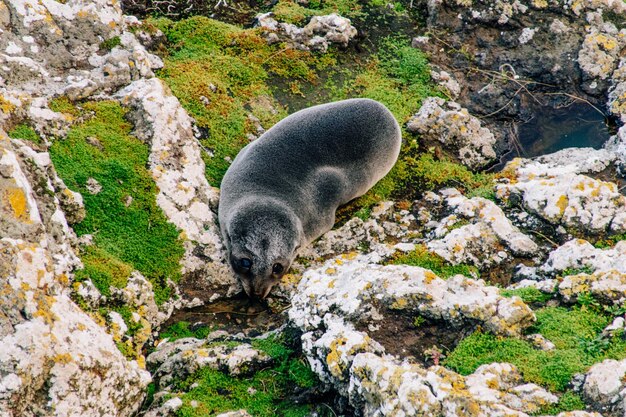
(262, 241)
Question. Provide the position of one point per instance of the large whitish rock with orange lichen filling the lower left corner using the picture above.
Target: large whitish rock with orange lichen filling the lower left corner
(56, 359)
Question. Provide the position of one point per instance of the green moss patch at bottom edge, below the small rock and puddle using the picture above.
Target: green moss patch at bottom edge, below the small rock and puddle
(271, 387)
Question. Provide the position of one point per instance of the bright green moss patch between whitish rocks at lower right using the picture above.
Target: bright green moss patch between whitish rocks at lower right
(570, 330)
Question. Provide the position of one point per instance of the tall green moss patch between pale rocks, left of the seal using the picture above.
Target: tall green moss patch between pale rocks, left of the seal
(126, 236)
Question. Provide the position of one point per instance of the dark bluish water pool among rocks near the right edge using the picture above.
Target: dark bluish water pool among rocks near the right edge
(552, 129)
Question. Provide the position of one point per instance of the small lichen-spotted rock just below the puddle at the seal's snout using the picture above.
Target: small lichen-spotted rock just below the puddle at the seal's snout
(182, 357)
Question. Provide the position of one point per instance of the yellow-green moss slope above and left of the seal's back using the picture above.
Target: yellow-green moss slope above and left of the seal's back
(220, 72)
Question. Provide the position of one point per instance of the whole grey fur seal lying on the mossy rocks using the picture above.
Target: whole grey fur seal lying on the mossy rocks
(282, 190)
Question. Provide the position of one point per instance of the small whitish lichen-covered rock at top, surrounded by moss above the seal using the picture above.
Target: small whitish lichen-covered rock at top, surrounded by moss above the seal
(316, 35)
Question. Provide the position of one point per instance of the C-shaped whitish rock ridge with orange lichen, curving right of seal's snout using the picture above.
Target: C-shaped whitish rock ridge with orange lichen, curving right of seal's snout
(333, 300)
